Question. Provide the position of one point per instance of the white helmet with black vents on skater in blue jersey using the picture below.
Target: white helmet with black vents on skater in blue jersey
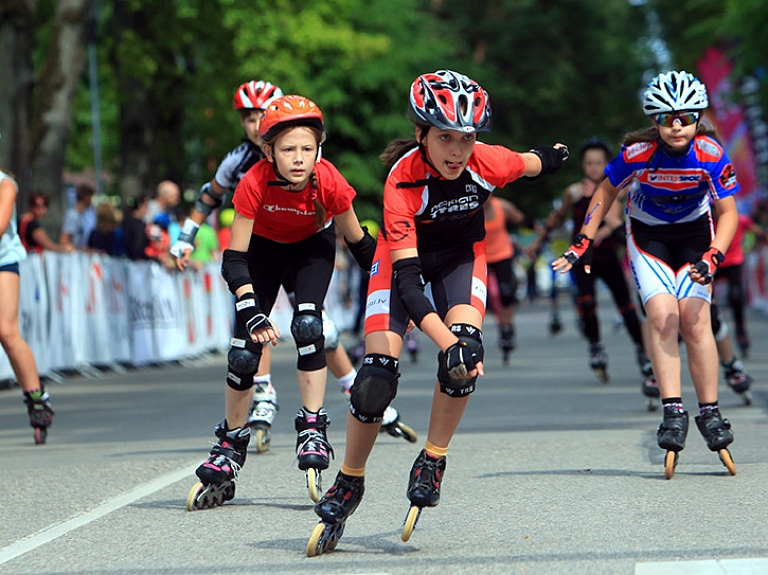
(674, 92)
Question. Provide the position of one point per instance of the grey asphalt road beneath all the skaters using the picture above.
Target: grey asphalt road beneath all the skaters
(551, 472)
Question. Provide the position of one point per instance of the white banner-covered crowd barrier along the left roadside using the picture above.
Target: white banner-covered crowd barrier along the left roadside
(81, 309)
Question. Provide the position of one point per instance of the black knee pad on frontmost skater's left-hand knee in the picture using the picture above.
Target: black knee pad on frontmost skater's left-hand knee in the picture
(375, 387)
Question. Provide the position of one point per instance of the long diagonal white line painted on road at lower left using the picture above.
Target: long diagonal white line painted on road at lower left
(54, 532)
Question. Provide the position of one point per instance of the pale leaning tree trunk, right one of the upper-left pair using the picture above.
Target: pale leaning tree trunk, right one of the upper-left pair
(59, 78)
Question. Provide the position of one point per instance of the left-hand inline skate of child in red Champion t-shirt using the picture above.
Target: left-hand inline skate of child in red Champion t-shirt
(218, 473)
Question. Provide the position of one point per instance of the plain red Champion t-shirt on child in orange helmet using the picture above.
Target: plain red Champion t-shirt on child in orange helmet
(289, 217)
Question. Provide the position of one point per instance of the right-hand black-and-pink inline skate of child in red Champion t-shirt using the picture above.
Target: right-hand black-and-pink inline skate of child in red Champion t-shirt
(312, 448)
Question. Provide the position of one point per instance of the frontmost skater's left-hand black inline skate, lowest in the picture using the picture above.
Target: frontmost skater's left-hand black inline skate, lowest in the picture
(334, 508)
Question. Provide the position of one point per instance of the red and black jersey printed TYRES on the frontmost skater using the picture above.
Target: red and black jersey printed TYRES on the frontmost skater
(422, 210)
